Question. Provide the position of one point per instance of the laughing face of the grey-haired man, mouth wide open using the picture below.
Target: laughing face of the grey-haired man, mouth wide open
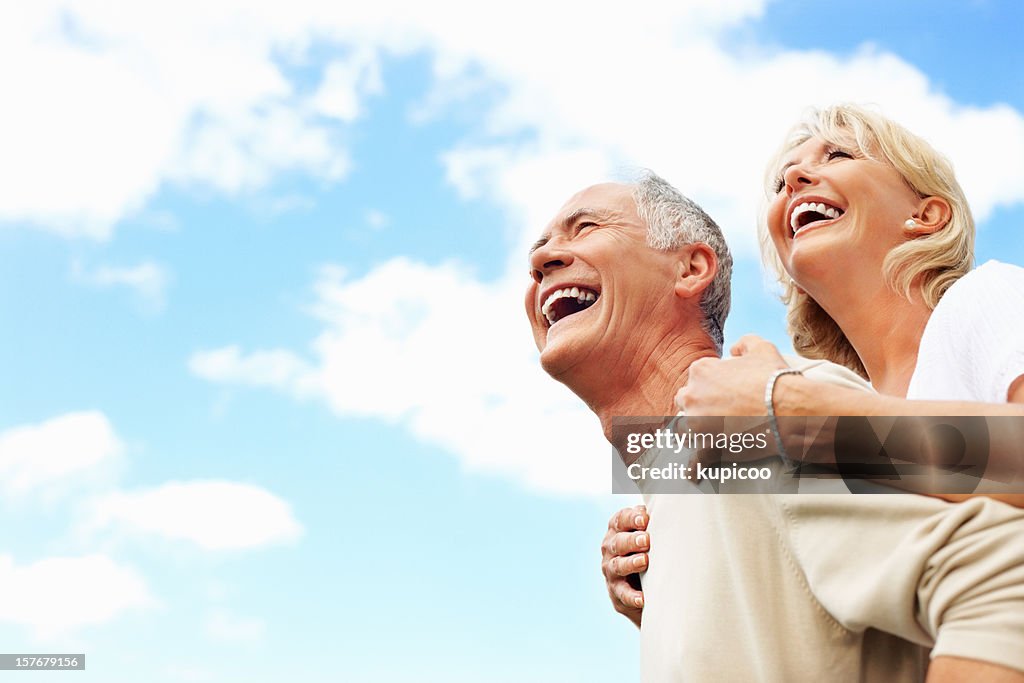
(598, 287)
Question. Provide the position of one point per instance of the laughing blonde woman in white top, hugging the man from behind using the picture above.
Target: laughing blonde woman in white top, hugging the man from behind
(873, 241)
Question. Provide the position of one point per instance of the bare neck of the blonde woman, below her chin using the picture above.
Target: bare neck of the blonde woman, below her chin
(885, 329)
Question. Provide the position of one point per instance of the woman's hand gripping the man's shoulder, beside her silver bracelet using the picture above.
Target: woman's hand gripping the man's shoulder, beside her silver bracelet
(733, 387)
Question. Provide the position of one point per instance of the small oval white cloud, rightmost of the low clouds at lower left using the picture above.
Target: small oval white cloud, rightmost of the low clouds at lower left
(214, 516)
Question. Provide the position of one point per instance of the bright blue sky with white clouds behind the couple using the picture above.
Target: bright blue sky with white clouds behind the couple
(271, 410)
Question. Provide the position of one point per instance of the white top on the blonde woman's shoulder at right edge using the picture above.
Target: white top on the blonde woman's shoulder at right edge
(973, 347)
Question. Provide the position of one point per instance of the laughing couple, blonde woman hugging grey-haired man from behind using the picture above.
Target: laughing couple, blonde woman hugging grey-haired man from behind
(873, 241)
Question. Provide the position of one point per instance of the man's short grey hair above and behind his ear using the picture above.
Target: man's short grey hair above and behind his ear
(674, 221)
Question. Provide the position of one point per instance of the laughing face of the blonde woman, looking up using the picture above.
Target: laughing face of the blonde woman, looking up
(836, 215)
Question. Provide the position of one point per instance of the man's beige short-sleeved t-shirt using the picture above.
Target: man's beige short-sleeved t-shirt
(829, 587)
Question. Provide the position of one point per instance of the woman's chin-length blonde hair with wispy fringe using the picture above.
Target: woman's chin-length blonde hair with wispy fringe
(926, 266)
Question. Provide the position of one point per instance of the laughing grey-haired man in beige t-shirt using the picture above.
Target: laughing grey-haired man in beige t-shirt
(630, 288)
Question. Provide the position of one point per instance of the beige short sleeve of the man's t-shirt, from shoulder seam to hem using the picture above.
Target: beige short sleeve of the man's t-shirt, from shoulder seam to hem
(938, 575)
